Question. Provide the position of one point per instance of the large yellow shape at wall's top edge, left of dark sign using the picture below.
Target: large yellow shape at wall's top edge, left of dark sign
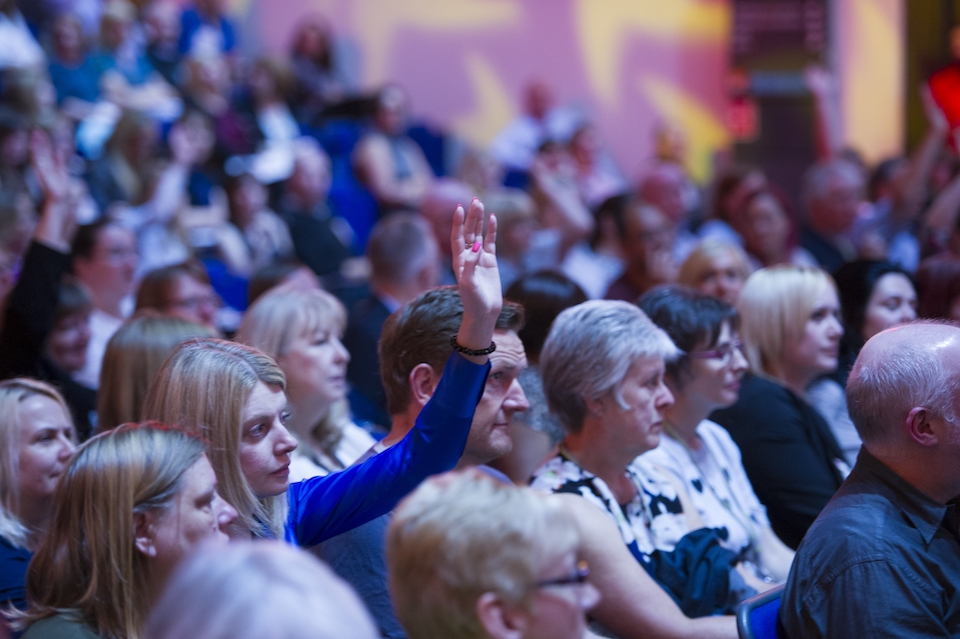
(604, 26)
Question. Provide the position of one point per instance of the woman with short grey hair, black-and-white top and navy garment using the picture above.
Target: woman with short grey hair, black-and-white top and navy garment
(603, 374)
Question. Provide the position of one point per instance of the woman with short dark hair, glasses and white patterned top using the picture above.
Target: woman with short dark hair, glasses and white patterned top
(696, 454)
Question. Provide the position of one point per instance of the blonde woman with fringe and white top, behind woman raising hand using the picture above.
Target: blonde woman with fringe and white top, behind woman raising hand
(302, 331)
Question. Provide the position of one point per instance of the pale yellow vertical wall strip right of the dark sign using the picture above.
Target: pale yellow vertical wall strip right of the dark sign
(872, 77)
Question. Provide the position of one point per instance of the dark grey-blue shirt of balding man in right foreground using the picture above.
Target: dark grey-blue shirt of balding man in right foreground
(881, 560)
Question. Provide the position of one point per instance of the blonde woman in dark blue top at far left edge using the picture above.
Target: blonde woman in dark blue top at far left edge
(37, 439)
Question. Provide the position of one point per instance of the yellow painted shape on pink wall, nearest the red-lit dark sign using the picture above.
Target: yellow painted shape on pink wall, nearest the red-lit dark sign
(704, 130)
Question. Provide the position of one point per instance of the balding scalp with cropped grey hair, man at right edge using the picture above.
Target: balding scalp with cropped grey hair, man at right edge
(910, 366)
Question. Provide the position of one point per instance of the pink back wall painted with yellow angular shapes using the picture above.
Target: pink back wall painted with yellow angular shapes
(631, 63)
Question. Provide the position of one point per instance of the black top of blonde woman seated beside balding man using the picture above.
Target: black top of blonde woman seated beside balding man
(788, 452)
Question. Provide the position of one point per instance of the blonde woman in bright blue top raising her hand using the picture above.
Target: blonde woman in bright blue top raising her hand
(234, 395)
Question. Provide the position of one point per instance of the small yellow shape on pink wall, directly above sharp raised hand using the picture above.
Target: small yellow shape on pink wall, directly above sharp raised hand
(493, 108)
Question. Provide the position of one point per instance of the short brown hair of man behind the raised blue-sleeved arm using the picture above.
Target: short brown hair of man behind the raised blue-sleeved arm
(420, 332)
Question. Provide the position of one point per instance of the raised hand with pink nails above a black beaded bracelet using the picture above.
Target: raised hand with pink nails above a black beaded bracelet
(478, 278)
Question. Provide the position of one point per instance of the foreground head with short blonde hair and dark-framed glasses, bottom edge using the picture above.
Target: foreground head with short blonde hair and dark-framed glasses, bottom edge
(475, 558)
